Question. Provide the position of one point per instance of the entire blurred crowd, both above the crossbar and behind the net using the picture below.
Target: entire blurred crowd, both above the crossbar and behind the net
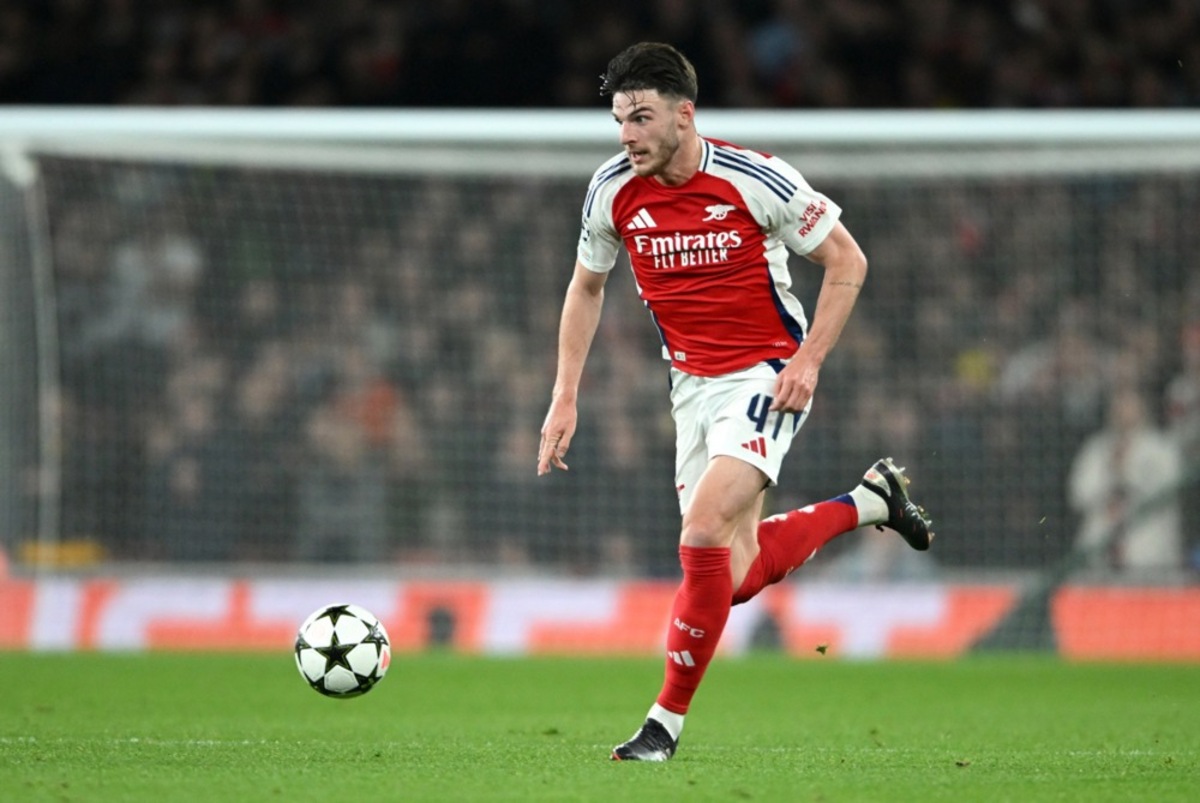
(275, 365)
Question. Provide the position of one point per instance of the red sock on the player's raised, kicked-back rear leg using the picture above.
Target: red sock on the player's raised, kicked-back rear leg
(789, 541)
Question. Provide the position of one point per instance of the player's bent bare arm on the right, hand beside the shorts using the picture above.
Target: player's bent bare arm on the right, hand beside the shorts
(845, 269)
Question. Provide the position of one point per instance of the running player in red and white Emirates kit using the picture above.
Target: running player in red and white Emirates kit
(707, 226)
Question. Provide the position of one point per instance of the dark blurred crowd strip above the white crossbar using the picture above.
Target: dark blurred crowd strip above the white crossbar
(532, 53)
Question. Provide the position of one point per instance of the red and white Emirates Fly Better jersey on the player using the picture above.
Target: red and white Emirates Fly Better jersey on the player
(710, 256)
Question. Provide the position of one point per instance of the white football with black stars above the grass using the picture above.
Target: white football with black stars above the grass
(343, 651)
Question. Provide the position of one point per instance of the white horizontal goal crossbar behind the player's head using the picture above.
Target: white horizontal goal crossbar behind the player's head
(572, 142)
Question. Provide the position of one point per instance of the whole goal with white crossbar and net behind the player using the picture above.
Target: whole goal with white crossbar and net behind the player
(298, 339)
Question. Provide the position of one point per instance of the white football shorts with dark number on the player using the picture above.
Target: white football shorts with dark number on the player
(729, 416)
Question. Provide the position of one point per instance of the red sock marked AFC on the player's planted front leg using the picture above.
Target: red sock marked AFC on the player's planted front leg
(698, 619)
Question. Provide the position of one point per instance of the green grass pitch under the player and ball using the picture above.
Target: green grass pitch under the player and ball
(98, 728)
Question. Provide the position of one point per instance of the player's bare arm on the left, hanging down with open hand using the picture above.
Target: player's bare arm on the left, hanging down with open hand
(581, 316)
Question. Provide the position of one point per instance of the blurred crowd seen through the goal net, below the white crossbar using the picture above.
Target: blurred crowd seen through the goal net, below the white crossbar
(279, 365)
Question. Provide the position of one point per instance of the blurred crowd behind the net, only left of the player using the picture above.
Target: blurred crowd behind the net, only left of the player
(267, 365)
